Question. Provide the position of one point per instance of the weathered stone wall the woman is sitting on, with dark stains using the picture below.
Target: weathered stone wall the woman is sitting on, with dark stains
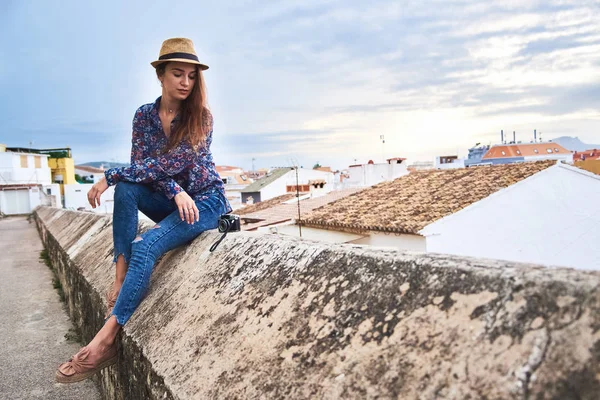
(266, 317)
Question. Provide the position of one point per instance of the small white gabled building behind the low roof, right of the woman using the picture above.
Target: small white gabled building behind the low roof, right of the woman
(283, 180)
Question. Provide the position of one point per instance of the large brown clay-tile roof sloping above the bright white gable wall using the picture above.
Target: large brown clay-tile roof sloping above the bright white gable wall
(411, 202)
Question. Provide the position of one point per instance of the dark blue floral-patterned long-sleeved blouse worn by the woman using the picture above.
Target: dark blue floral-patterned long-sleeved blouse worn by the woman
(183, 168)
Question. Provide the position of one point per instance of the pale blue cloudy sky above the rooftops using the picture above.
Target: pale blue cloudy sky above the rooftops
(306, 81)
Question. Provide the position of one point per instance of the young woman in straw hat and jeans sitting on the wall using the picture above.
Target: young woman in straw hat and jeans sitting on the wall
(171, 179)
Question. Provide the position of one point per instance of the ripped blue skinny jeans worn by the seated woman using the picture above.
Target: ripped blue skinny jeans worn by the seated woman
(170, 231)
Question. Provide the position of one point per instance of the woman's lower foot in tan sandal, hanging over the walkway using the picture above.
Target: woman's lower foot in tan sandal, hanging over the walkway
(79, 367)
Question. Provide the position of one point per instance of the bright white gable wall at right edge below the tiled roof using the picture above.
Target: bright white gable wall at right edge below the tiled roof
(550, 218)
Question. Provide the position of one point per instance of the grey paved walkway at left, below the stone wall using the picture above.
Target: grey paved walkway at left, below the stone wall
(34, 323)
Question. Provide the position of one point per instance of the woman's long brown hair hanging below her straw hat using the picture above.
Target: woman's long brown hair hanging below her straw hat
(195, 118)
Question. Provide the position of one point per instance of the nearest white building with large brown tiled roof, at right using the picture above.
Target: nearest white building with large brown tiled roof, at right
(538, 212)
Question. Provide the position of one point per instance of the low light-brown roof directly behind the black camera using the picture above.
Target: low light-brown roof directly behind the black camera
(286, 212)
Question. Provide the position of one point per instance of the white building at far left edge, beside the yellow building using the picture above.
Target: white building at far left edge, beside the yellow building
(25, 182)
